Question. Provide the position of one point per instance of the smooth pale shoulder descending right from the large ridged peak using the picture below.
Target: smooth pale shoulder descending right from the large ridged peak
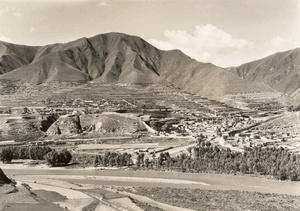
(203, 78)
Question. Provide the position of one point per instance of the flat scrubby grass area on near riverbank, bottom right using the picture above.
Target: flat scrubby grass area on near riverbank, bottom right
(198, 199)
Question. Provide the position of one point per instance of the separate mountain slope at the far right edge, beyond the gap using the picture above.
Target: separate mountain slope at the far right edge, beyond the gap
(281, 71)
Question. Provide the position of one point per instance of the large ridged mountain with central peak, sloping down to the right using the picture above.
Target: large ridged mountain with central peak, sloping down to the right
(118, 58)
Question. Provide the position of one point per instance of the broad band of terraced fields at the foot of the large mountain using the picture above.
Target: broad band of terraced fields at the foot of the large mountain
(142, 95)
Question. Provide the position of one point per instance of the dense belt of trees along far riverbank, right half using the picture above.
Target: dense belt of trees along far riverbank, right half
(277, 162)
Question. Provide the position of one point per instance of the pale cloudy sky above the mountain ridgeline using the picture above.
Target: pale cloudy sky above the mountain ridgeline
(223, 32)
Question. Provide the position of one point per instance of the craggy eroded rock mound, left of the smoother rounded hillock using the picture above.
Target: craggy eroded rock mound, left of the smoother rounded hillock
(65, 125)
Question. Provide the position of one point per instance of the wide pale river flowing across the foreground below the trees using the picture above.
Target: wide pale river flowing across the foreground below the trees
(215, 181)
